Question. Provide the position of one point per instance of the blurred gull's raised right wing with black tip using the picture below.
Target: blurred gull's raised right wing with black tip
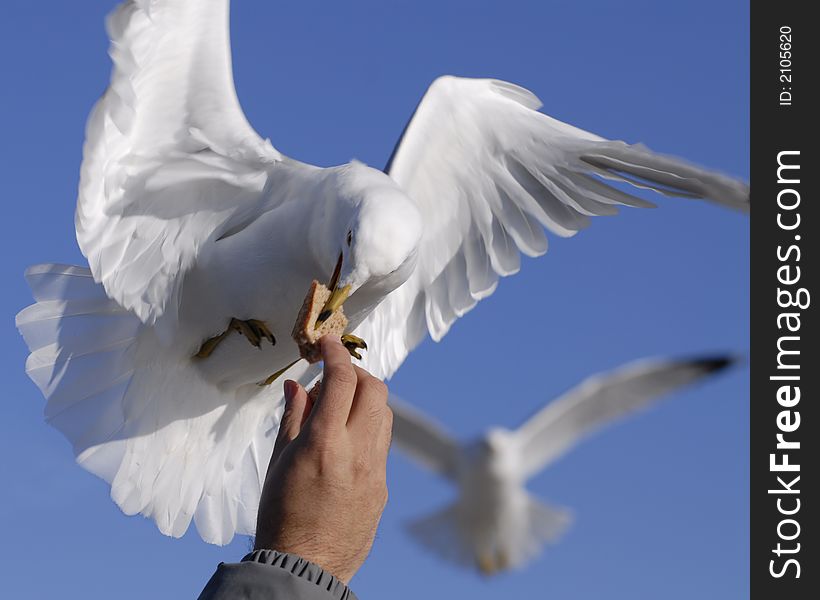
(601, 399)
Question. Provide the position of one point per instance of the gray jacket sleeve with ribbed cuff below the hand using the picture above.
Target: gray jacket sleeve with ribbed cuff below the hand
(271, 575)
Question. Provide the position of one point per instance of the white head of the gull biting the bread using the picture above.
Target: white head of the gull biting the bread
(376, 233)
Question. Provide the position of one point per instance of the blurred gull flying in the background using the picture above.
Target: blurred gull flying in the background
(495, 524)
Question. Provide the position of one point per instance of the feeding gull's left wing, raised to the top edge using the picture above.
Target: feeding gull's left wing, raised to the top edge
(169, 155)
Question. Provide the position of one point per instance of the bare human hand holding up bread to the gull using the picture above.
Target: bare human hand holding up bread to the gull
(326, 485)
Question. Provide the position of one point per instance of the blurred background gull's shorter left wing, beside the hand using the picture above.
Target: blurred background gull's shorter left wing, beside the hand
(422, 440)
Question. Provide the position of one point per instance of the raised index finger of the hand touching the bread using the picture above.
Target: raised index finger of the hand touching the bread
(338, 384)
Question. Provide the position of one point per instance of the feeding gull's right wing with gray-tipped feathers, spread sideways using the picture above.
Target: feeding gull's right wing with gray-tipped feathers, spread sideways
(488, 174)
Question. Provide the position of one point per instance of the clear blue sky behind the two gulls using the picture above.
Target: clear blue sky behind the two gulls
(661, 501)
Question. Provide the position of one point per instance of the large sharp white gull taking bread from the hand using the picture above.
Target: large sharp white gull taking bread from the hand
(201, 237)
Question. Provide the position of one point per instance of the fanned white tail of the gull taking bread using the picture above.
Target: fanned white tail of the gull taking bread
(143, 422)
